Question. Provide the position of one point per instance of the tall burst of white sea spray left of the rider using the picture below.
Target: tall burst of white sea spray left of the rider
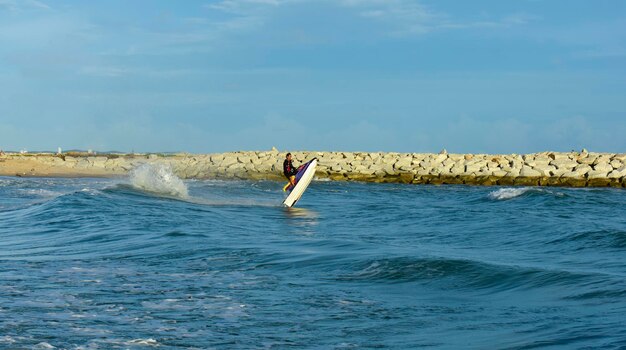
(158, 178)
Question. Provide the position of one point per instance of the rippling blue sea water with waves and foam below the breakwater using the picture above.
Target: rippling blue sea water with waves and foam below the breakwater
(151, 261)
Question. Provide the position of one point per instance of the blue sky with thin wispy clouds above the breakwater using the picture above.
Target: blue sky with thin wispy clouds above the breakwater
(482, 76)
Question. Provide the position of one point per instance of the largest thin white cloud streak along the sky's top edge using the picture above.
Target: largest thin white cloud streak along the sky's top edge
(400, 18)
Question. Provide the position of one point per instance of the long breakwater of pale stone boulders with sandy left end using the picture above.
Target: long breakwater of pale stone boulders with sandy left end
(573, 169)
